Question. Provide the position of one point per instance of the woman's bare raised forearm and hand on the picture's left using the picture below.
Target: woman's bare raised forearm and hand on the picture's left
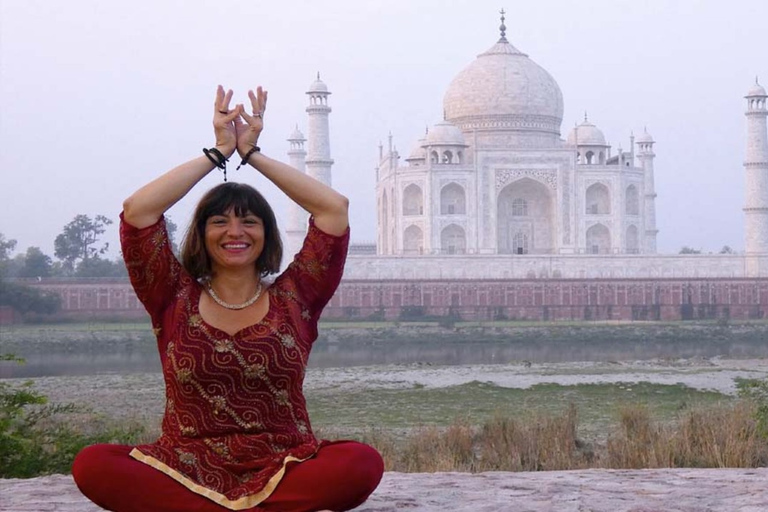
(145, 206)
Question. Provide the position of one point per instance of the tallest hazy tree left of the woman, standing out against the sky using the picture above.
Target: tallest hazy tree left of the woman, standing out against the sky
(78, 242)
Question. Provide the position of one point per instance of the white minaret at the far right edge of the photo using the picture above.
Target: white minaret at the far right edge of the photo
(756, 172)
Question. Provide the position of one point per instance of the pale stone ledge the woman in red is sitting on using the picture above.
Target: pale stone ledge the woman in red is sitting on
(668, 490)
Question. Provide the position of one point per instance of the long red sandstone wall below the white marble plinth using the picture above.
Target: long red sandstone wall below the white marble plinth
(545, 300)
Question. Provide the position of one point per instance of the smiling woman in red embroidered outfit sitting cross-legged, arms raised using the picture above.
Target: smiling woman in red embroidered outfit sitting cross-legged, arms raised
(235, 434)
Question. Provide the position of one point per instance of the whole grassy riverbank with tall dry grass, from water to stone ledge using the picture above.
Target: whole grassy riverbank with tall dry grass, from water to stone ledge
(421, 422)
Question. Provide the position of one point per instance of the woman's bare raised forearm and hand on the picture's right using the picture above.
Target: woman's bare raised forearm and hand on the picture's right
(328, 207)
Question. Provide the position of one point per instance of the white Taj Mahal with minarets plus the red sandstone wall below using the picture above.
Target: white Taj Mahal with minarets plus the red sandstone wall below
(496, 215)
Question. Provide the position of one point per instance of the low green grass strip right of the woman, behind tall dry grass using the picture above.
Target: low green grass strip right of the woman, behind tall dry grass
(478, 402)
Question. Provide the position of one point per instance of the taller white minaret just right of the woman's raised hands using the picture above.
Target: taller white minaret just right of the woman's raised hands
(319, 160)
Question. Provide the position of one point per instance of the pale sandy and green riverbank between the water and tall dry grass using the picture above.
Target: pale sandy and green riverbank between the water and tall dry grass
(345, 401)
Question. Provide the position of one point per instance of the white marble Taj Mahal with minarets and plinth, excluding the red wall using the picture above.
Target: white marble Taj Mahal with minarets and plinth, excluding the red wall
(495, 191)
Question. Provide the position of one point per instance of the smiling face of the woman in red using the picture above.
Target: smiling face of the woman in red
(234, 242)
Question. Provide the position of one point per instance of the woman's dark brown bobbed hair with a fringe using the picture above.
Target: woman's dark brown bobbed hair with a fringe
(243, 199)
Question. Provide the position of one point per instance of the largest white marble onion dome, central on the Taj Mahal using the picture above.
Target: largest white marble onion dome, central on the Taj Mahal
(504, 88)
